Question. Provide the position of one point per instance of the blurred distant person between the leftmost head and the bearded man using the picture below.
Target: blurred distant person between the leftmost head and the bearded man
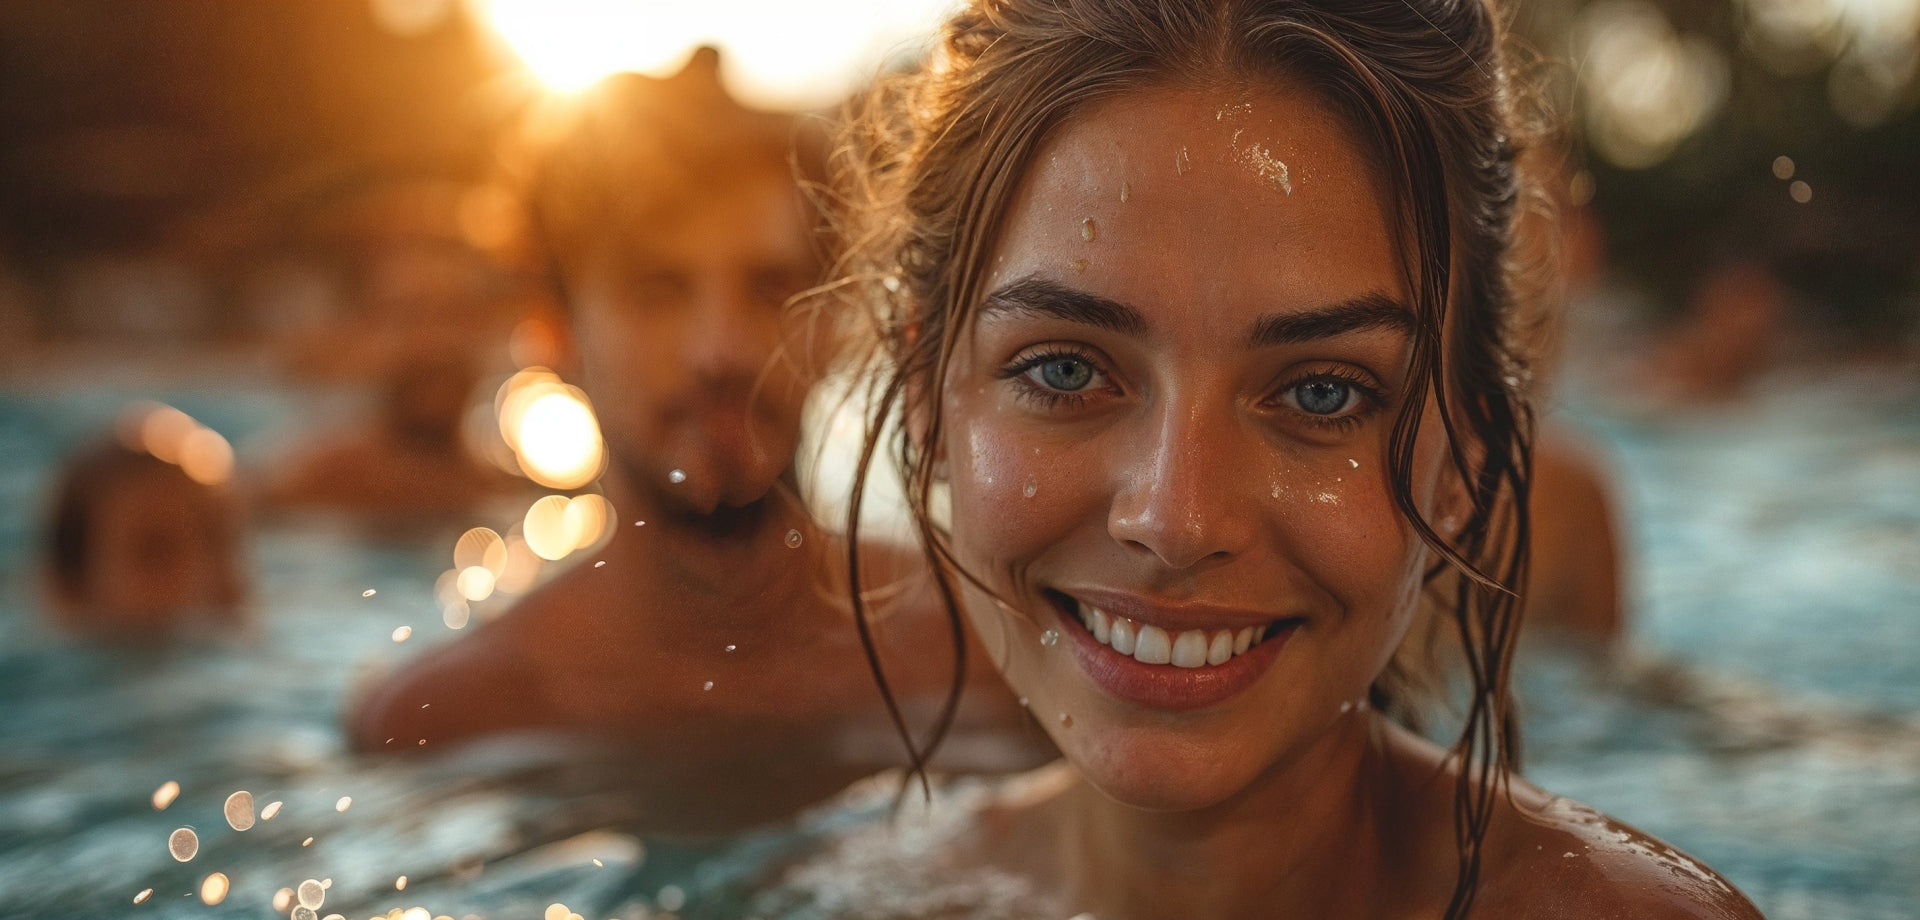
(410, 460)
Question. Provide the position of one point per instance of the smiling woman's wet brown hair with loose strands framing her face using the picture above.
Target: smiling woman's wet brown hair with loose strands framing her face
(932, 166)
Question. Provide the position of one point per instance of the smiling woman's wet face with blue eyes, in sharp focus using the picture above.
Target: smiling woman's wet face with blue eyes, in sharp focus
(1166, 439)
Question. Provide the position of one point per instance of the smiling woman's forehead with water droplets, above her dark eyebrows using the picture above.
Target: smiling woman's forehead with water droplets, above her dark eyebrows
(1249, 201)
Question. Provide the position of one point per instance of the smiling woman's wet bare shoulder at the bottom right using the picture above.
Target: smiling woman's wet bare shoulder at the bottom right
(1554, 858)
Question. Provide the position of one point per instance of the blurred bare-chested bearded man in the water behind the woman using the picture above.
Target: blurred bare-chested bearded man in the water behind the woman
(713, 621)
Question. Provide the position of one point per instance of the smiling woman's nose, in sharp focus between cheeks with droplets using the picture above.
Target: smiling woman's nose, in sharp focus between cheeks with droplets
(1180, 491)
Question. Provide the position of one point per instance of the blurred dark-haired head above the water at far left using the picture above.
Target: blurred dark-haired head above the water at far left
(145, 537)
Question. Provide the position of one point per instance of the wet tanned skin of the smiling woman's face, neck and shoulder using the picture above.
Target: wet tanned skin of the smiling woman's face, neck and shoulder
(1182, 414)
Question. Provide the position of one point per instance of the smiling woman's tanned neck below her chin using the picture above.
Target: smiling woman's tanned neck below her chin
(1324, 836)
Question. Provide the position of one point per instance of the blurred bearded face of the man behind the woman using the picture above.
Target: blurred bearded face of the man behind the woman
(686, 349)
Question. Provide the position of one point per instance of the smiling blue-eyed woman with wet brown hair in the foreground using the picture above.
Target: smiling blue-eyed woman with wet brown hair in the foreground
(1203, 318)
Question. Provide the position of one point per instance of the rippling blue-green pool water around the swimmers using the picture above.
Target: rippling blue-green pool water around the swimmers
(1771, 723)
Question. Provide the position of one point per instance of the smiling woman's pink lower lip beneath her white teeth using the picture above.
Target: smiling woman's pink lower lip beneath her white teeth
(1166, 687)
